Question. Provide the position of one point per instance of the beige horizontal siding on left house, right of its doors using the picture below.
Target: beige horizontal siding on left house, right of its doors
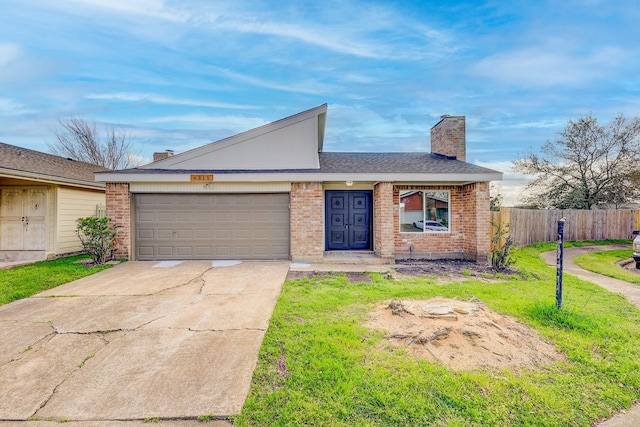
(73, 204)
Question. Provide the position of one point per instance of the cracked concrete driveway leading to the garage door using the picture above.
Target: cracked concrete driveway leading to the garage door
(143, 340)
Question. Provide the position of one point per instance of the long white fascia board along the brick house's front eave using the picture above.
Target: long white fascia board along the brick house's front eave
(304, 177)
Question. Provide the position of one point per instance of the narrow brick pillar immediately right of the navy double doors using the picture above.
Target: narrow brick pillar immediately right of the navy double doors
(383, 220)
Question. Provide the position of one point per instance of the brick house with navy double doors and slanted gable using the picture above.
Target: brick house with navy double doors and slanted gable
(273, 193)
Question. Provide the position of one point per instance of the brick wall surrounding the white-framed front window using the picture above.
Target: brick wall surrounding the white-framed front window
(469, 225)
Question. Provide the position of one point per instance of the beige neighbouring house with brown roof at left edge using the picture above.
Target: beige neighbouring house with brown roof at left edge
(41, 196)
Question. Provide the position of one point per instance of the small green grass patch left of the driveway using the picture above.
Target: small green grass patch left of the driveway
(24, 281)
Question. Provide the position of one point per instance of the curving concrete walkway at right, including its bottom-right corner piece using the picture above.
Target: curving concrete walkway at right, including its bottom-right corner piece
(630, 418)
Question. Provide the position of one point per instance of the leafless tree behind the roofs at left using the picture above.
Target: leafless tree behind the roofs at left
(79, 140)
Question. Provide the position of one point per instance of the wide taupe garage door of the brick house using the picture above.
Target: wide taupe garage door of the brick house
(211, 226)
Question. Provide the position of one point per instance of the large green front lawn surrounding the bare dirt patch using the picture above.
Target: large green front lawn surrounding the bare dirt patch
(319, 364)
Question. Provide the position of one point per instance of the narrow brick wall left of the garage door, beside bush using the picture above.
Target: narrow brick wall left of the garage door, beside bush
(118, 208)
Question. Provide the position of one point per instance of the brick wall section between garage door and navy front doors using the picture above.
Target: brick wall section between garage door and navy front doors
(307, 221)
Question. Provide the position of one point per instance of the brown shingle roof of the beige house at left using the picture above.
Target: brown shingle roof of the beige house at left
(21, 160)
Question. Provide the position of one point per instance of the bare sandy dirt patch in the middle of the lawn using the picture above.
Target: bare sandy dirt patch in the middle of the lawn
(463, 335)
